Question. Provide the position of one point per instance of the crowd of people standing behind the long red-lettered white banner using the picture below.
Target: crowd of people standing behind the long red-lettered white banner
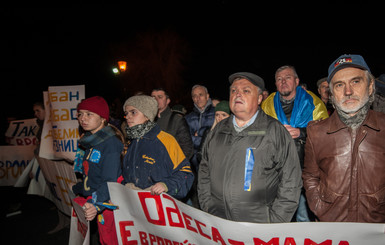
(288, 156)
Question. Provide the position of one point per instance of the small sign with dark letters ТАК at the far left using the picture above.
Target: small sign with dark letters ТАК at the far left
(22, 132)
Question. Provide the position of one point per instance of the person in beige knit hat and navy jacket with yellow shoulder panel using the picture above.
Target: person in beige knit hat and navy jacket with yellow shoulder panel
(154, 160)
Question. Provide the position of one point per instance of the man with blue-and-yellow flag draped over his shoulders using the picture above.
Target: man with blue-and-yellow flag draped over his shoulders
(294, 107)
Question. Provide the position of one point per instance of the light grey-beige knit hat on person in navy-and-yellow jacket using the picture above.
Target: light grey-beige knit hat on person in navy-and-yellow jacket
(145, 104)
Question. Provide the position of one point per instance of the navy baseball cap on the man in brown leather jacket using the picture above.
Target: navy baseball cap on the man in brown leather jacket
(347, 60)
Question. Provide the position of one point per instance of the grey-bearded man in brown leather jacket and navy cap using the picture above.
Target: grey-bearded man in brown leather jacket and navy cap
(344, 174)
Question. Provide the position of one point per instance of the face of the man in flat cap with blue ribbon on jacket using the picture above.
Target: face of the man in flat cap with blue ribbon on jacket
(244, 99)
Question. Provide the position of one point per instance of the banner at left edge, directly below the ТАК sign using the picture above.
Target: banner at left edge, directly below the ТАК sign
(13, 161)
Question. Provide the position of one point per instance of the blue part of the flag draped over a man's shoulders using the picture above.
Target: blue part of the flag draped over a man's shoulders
(302, 111)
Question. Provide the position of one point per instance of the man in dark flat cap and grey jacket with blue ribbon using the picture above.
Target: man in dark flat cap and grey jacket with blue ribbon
(250, 170)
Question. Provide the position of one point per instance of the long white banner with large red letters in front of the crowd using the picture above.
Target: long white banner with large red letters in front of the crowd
(143, 218)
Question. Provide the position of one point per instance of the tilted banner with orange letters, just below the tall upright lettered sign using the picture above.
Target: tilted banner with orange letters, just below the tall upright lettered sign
(58, 175)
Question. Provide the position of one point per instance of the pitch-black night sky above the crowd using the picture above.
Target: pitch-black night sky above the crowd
(80, 44)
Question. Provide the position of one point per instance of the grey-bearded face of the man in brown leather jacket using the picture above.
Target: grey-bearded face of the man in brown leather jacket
(350, 89)
